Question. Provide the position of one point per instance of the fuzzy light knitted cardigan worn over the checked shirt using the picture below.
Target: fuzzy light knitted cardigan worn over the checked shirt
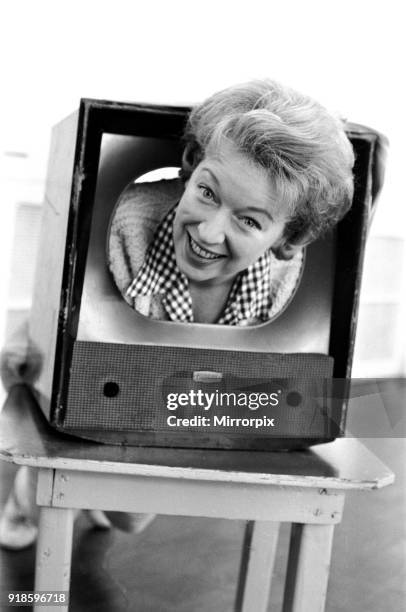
(136, 217)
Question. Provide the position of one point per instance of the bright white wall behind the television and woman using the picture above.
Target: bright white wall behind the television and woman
(346, 54)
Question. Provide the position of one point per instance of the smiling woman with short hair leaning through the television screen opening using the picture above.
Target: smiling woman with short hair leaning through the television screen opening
(265, 171)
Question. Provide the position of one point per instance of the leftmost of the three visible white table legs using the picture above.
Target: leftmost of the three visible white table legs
(54, 548)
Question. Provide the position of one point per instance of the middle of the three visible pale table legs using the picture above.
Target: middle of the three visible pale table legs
(257, 563)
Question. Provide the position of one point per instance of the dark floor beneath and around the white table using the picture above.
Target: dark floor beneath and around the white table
(191, 565)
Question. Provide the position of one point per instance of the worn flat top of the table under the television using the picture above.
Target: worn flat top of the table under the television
(27, 439)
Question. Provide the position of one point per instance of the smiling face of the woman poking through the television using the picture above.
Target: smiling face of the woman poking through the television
(227, 218)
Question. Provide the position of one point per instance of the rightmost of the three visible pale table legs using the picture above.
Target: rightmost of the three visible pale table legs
(308, 568)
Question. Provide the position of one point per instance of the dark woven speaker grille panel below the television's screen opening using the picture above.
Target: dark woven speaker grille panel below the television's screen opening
(116, 387)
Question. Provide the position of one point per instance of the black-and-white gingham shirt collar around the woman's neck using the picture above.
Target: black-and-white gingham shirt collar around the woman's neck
(249, 297)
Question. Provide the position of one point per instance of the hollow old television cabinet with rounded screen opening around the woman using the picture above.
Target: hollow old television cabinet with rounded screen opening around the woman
(110, 374)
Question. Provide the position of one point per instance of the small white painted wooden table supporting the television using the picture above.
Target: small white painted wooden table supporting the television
(305, 488)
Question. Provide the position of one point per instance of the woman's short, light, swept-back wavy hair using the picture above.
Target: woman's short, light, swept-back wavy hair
(303, 147)
